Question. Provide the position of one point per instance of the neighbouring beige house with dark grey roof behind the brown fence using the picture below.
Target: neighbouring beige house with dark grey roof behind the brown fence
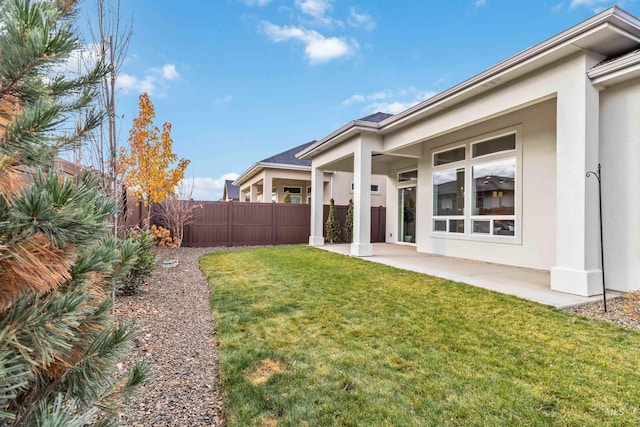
(284, 172)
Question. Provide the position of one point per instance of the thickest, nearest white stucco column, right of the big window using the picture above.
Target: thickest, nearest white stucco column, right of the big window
(577, 268)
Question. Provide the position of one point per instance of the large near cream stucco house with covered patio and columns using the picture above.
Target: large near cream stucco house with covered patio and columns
(494, 168)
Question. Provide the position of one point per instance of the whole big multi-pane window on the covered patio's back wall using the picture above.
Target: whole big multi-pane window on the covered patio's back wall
(488, 168)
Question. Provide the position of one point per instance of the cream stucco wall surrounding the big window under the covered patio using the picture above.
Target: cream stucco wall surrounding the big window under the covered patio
(536, 248)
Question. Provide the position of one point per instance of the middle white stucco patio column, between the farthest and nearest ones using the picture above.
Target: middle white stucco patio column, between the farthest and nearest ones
(361, 245)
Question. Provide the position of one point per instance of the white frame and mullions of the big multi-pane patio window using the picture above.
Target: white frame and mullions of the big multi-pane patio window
(469, 202)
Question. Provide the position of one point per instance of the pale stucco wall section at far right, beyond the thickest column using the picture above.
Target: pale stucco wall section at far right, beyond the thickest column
(620, 157)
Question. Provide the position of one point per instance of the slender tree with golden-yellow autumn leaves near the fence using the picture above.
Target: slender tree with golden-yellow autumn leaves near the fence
(146, 166)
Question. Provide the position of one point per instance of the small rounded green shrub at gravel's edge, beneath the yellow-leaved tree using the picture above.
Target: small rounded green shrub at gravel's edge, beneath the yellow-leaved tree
(136, 253)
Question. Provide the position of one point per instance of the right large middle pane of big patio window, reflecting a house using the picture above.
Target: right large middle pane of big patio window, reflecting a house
(494, 188)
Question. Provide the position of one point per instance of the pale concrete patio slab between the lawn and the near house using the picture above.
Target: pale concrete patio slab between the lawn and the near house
(525, 283)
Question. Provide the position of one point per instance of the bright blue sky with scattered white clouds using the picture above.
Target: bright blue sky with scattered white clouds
(241, 80)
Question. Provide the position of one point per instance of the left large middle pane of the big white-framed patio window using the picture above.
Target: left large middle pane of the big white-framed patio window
(448, 192)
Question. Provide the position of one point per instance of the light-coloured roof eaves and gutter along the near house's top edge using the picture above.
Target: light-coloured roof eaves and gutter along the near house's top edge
(610, 33)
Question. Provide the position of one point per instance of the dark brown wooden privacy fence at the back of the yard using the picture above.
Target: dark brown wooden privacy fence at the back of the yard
(252, 224)
